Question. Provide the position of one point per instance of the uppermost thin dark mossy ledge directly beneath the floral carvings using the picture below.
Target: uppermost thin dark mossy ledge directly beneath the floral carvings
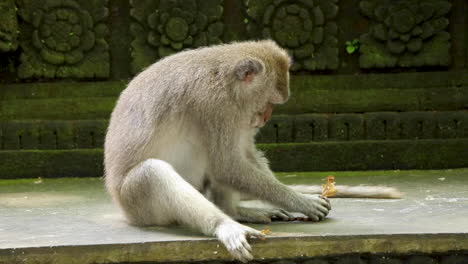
(68, 89)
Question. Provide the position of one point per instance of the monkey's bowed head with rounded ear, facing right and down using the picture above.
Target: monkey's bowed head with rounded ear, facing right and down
(262, 77)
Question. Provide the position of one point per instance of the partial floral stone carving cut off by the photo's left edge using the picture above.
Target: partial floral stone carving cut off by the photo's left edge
(8, 26)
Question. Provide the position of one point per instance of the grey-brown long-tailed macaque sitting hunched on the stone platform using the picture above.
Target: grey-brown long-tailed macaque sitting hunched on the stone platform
(180, 144)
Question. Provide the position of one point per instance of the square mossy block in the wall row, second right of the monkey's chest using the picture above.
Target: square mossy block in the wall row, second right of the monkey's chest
(311, 127)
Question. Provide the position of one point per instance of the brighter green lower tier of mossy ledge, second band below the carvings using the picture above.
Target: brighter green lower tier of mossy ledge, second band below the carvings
(302, 101)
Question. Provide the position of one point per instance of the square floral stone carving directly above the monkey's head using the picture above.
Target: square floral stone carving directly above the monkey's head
(305, 27)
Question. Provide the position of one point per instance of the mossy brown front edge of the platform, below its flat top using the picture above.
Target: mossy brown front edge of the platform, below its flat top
(295, 247)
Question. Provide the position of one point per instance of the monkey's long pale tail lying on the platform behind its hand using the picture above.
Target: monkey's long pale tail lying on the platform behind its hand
(362, 191)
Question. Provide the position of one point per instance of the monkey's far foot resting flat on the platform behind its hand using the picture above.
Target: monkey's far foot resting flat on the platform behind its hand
(262, 215)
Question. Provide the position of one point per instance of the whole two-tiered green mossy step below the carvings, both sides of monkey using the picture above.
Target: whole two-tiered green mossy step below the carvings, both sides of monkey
(442, 91)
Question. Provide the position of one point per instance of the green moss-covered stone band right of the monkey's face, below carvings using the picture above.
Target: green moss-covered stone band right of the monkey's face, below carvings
(377, 92)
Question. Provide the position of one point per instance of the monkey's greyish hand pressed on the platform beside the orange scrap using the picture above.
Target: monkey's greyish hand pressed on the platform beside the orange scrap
(314, 206)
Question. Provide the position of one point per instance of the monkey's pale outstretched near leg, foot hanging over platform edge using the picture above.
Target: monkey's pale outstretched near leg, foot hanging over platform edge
(153, 193)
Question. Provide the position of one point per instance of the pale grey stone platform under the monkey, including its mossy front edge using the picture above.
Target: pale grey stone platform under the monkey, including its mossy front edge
(73, 220)
